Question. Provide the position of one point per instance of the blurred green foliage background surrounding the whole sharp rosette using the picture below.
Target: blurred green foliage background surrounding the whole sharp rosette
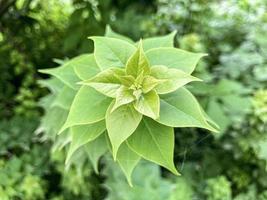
(37, 34)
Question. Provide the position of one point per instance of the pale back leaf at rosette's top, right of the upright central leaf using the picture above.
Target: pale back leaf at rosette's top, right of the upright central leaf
(161, 41)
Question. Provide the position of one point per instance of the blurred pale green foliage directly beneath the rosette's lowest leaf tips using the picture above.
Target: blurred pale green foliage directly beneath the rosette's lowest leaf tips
(154, 187)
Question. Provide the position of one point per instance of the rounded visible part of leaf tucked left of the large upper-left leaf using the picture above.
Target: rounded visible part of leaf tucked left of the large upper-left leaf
(86, 67)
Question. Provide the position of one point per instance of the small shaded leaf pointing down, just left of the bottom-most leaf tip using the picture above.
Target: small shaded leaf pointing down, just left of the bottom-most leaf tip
(95, 149)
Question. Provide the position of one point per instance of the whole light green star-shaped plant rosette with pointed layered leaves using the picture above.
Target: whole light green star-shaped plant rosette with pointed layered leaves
(126, 98)
